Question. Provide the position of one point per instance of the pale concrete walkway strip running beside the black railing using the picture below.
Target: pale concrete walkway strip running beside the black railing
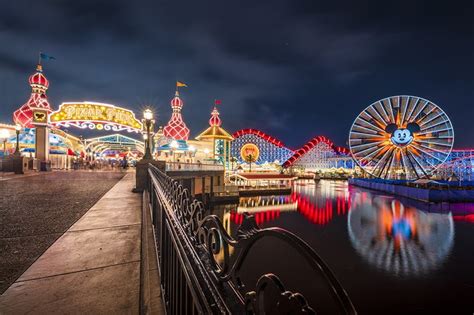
(92, 268)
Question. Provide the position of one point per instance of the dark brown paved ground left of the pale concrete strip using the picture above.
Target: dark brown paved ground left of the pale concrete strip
(37, 208)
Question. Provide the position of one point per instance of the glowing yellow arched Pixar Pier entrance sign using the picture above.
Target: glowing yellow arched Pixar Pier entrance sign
(92, 115)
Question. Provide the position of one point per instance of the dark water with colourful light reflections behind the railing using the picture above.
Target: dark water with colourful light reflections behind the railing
(393, 256)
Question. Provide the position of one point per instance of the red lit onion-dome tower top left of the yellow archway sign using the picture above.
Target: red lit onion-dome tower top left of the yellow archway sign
(39, 85)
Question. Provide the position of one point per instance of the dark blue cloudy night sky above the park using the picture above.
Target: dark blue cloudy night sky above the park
(294, 69)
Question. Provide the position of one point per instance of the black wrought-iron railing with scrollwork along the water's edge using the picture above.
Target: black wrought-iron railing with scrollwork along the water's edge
(194, 281)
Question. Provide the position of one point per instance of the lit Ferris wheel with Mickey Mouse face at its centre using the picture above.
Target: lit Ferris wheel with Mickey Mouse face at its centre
(401, 137)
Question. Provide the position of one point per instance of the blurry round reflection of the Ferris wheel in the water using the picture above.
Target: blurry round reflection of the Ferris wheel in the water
(398, 238)
